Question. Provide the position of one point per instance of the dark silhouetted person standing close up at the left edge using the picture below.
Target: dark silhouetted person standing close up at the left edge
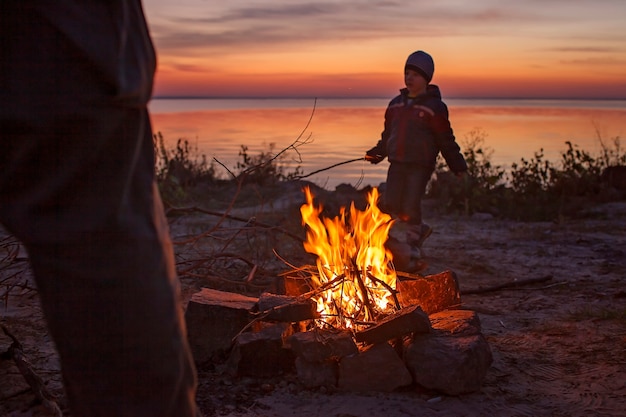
(77, 188)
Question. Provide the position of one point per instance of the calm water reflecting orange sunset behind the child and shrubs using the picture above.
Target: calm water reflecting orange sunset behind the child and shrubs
(335, 130)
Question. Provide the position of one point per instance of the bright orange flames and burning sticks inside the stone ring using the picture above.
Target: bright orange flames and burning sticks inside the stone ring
(356, 275)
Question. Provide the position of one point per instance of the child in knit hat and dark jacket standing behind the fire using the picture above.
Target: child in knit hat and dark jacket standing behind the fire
(417, 129)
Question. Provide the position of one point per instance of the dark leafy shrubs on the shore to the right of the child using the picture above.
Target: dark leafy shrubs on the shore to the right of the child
(534, 189)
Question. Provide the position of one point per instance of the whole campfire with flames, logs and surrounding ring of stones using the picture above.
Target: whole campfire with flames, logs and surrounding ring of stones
(350, 322)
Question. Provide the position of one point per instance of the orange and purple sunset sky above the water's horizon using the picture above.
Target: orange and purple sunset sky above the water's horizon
(357, 48)
